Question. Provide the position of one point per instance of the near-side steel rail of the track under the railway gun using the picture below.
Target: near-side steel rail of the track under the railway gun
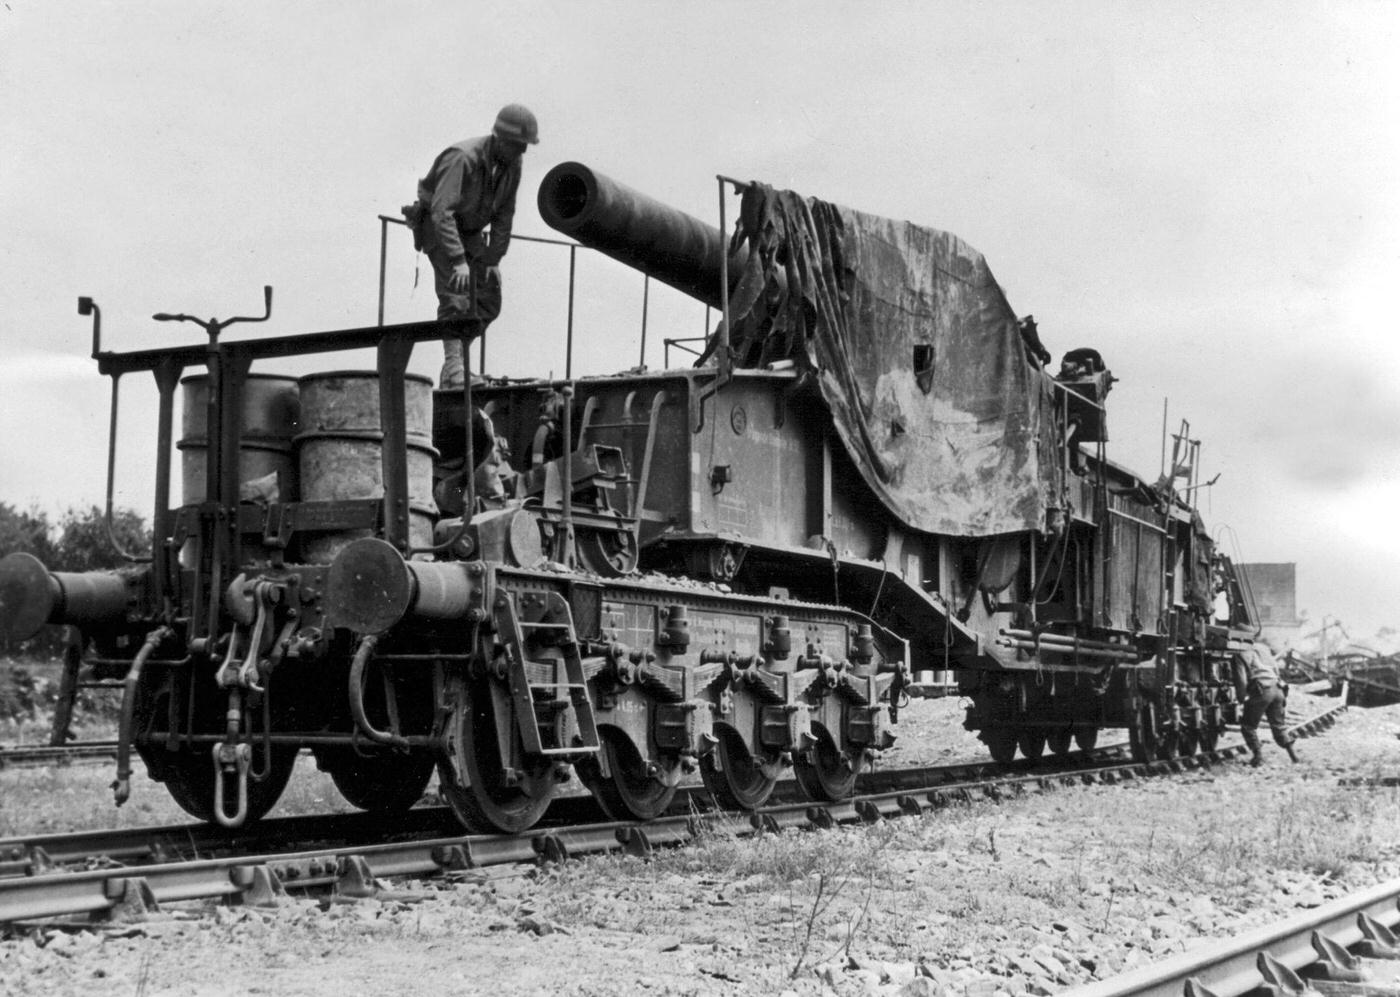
(353, 870)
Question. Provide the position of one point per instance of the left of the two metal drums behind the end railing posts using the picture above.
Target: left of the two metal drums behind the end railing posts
(271, 421)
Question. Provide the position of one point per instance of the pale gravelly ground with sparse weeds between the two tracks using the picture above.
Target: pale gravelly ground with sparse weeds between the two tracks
(1028, 897)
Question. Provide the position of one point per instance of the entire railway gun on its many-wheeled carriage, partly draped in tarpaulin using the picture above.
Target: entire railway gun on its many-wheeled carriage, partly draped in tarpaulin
(740, 569)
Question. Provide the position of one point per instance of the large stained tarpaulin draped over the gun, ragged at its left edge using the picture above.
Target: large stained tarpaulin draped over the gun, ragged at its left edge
(916, 352)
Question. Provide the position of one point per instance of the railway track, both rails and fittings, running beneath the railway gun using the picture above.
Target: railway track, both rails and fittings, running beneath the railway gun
(36, 890)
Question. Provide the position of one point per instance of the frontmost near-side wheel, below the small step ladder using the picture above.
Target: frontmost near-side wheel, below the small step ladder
(474, 778)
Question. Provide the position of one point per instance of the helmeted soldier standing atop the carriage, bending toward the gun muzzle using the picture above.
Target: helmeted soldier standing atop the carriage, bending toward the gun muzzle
(471, 187)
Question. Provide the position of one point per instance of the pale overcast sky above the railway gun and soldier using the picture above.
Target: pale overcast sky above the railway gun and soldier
(1205, 193)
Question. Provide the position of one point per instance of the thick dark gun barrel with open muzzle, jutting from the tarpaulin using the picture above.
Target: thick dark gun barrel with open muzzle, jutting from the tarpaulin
(633, 229)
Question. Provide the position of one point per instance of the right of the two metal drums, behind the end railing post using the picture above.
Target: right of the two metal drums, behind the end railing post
(341, 445)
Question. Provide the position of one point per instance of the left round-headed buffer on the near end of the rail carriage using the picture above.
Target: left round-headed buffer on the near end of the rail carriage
(31, 596)
